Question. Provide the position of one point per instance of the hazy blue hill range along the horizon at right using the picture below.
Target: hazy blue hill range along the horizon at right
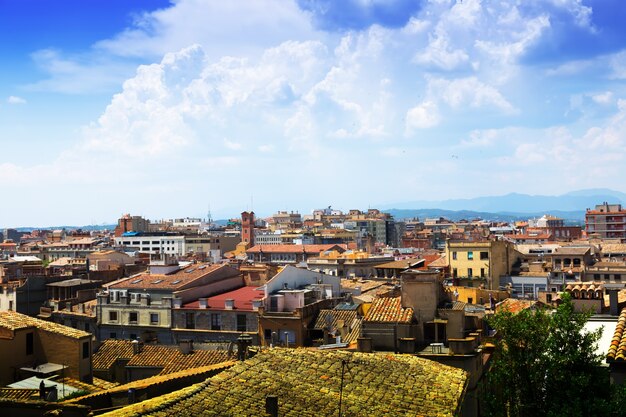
(570, 205)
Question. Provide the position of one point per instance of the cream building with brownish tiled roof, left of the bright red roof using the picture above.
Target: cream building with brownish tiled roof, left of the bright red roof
(141, 306)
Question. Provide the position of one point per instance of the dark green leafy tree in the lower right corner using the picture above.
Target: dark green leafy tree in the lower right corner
(545, 364)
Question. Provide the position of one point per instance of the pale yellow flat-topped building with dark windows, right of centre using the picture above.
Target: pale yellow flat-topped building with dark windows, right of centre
(476, 263)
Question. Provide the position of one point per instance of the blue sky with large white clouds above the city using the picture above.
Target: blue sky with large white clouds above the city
(170, 108)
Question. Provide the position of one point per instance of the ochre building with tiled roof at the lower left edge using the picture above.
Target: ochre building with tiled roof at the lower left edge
(33, 347)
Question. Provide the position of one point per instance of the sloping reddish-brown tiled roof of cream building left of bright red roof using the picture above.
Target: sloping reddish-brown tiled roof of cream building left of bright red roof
(172, 281)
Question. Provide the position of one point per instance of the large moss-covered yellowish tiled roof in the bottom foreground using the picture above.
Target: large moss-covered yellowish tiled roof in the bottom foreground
(307, 383)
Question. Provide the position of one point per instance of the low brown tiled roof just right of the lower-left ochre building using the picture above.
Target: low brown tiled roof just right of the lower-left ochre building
(170, 358)
